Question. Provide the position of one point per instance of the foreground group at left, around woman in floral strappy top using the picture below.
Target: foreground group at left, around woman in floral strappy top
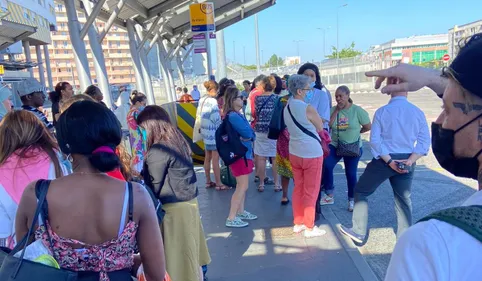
(111, 214)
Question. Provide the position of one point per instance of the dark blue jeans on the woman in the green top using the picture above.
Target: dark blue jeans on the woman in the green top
(351, 168)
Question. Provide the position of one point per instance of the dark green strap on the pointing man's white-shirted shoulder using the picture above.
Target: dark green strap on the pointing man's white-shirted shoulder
(467, 218)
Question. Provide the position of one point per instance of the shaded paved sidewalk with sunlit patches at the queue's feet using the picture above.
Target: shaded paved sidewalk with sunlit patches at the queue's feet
(268, 249)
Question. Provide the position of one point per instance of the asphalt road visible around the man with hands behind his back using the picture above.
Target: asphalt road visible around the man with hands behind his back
(433, 188)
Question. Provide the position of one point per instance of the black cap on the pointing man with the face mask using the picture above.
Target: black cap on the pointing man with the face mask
(466, 67)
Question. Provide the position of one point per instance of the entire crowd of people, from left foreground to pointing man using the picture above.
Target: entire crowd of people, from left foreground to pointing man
(113, 213)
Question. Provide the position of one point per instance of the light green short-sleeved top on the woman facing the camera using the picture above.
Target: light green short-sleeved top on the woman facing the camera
(348, 124)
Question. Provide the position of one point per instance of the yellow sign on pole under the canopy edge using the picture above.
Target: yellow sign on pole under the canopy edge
(202, 17)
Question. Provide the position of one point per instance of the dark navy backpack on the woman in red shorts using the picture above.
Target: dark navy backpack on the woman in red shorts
(228, 143)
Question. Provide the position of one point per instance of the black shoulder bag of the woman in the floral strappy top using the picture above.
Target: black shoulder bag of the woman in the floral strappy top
(18, 269)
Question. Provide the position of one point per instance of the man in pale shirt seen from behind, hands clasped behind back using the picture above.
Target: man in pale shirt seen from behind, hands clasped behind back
(398, 138)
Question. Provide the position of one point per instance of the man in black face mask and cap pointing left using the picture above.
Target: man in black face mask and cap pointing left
(434, 249)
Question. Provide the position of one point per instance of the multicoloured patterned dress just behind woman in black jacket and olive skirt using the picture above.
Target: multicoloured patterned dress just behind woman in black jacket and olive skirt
(137, 139)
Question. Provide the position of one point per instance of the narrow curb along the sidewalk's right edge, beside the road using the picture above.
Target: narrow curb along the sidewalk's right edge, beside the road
(360, 263)
